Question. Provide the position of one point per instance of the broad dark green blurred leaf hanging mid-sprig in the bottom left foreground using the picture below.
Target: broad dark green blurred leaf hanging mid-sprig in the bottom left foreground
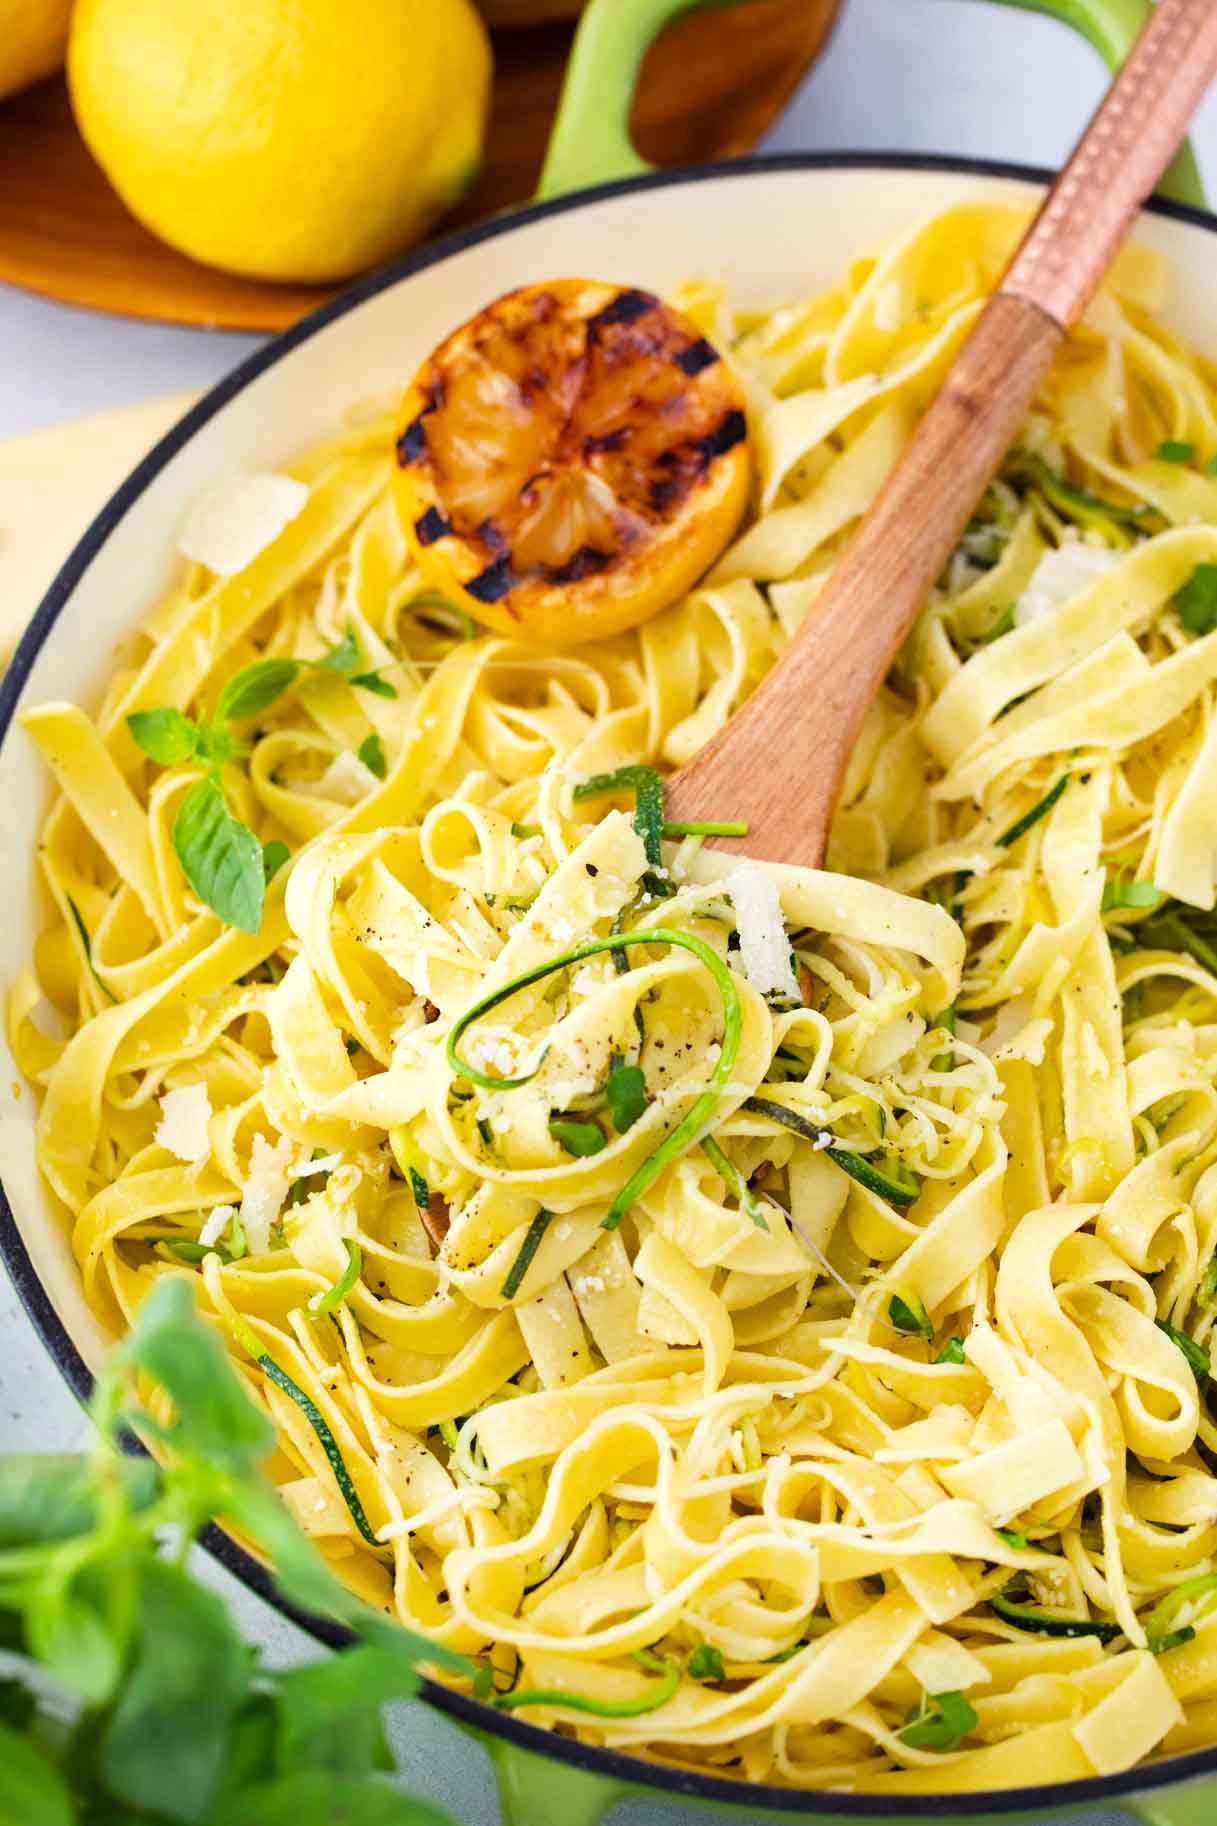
(164, 1743)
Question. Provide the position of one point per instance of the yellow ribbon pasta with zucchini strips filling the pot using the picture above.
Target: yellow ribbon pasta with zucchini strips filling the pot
(763, 1312)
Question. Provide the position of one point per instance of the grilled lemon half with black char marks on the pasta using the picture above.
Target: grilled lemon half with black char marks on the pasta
(571, 461)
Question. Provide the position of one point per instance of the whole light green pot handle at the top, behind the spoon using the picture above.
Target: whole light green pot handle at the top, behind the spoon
(591, 142)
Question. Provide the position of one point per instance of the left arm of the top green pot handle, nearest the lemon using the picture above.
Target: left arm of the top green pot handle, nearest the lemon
(591, 142)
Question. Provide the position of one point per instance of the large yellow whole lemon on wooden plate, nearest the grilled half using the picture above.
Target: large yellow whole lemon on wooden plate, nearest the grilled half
(284, 140)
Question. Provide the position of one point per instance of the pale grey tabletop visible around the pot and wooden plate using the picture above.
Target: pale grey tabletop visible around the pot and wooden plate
(933, 76)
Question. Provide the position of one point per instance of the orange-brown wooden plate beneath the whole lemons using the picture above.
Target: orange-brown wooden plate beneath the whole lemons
(710, 90)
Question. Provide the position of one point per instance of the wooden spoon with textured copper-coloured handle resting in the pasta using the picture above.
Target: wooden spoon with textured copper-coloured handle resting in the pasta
(781, 759)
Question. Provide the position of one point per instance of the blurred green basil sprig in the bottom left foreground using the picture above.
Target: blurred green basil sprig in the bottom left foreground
(129, 1694)
